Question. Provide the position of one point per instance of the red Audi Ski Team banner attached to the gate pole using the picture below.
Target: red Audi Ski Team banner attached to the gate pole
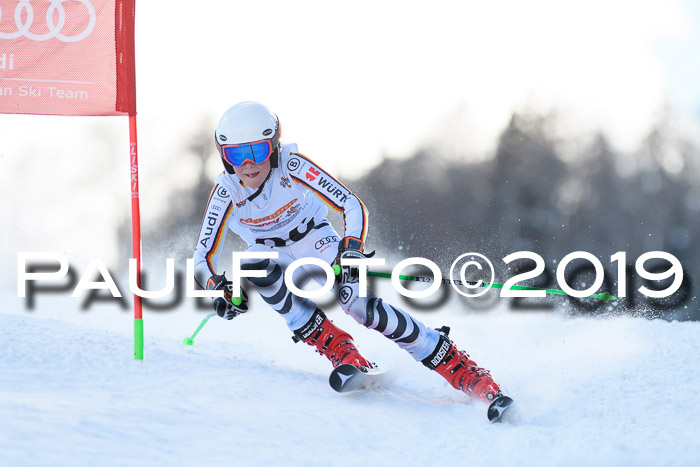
(67, 57)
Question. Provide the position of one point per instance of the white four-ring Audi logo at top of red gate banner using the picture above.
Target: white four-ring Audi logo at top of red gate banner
(25, 8)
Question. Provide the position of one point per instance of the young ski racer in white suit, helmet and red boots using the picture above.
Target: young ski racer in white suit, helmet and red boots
(275, 199)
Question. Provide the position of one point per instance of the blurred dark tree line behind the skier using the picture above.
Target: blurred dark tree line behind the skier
(537, 192)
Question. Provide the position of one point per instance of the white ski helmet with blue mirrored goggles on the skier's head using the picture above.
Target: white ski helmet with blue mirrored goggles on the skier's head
(248, 131)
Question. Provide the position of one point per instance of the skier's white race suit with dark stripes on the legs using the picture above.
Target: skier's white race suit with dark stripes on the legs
(289, 216)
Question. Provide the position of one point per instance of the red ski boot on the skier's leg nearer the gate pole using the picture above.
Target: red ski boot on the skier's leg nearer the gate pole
(336, 344)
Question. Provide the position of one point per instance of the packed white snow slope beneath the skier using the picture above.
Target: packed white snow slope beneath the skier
(589, 391)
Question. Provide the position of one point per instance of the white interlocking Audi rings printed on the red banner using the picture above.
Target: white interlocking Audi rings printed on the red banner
(55, 19)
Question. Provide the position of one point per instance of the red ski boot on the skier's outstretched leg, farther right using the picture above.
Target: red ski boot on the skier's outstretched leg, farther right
(462, 373)
